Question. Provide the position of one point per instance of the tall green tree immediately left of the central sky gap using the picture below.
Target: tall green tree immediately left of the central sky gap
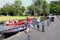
(18, 8)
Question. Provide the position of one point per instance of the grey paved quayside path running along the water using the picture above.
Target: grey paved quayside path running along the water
(51, 33)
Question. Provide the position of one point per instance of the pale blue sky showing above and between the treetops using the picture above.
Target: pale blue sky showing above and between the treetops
(25, 2)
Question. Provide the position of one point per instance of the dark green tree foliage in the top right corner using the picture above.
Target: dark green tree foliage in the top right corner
(55, 7)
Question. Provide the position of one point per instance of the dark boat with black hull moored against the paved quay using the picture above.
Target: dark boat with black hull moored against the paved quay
(13, 31)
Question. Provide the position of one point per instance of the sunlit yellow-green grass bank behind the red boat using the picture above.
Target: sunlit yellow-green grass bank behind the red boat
(5, 18)
